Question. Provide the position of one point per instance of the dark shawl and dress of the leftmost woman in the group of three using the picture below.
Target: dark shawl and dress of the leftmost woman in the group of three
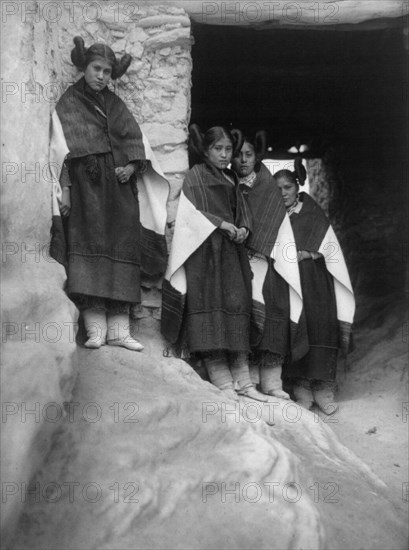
(218, 300)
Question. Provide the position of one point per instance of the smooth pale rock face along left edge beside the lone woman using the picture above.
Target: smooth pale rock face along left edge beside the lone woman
(38, 321)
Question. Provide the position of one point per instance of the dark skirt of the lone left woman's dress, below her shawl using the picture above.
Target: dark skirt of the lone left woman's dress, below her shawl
(103, 232)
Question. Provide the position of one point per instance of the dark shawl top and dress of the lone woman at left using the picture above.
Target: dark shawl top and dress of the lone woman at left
(102, 249)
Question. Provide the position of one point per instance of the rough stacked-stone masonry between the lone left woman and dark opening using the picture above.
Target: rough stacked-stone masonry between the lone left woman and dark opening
(156, 87)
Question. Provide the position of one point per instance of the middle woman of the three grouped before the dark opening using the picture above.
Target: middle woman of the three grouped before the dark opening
(277, 302)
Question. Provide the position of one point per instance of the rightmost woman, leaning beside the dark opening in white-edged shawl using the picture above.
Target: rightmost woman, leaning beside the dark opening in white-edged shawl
(329, 303)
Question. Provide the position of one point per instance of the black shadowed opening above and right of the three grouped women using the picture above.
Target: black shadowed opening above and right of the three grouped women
(342, 92)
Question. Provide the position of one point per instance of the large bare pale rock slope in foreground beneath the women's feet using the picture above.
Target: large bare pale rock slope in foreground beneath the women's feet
(150, 456)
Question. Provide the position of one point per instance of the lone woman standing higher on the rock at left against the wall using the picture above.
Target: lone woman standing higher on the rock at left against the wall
(102, 167)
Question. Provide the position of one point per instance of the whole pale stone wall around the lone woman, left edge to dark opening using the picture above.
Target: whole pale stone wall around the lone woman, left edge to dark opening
(39, 322)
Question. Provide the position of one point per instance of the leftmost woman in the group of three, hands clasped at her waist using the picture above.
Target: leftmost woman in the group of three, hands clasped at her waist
(207, 289)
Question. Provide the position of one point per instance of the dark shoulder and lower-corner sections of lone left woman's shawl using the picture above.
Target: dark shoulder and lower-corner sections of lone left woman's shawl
(99, 123)
